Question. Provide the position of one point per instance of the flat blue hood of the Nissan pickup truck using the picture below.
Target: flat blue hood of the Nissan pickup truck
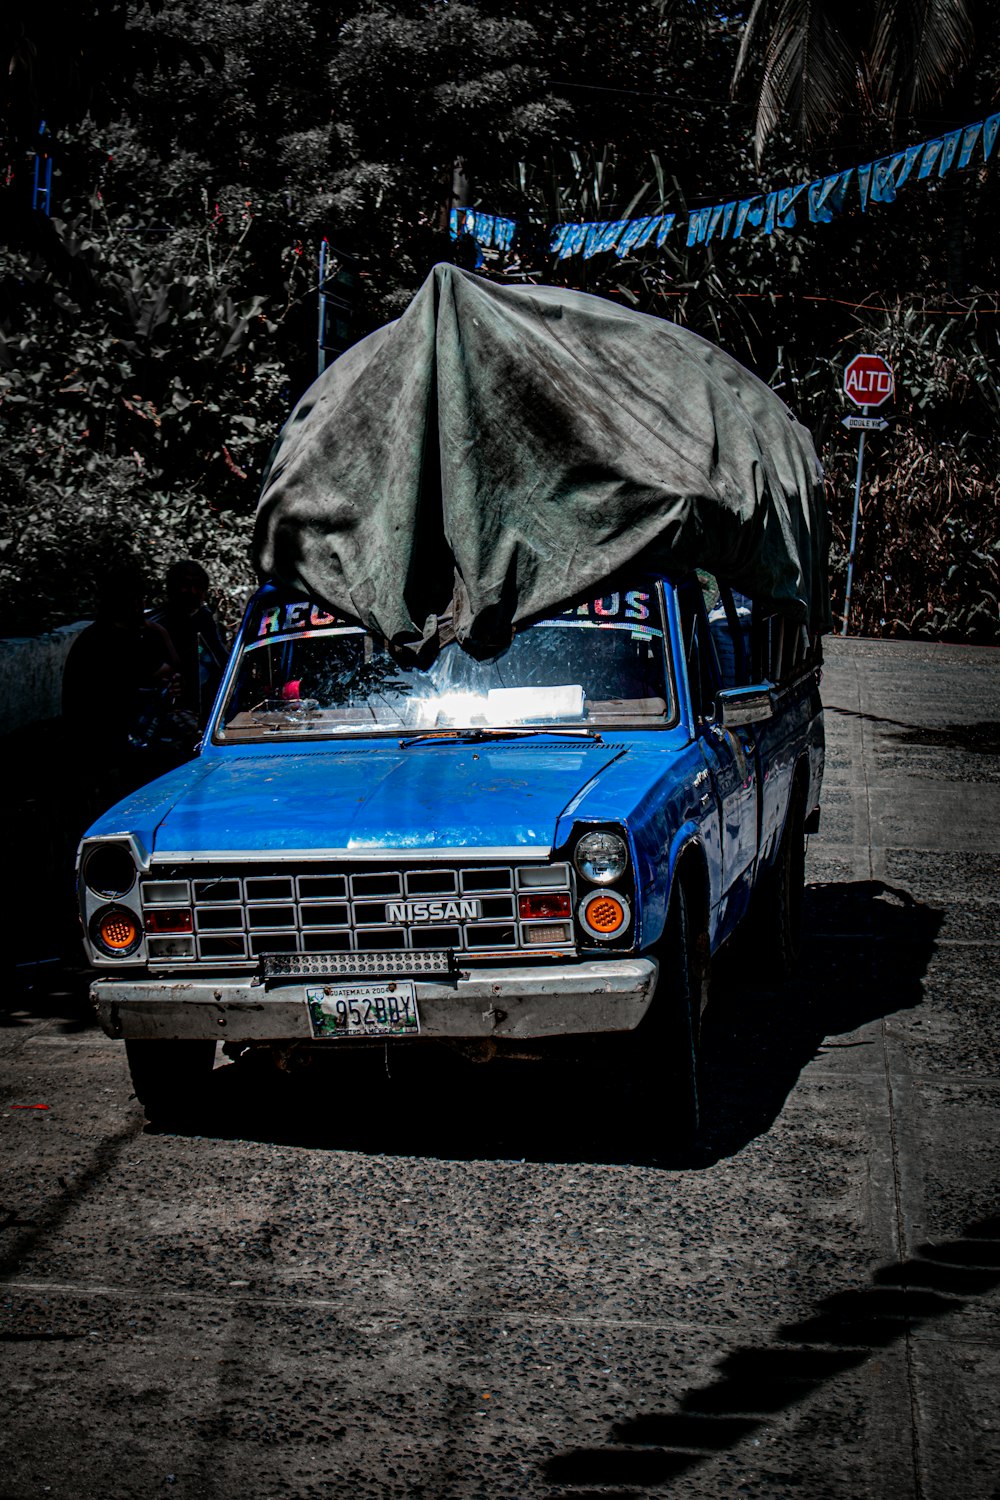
(427, 797)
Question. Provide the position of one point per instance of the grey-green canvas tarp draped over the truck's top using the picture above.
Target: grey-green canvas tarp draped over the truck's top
(501, 451)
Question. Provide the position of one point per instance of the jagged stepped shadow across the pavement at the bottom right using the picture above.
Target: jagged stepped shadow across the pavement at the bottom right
(753, 1384)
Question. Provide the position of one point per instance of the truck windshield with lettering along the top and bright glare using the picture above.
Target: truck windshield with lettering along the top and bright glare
(304, 673)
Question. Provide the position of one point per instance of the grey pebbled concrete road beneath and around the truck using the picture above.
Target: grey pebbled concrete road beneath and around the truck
(485, 1289)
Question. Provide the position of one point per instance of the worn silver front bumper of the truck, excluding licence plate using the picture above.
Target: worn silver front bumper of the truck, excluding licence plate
(563, 1001)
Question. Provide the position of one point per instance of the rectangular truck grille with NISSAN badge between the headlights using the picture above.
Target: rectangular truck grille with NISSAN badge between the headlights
(236, 914)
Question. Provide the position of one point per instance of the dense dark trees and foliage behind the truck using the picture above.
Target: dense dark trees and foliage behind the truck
(158, 326)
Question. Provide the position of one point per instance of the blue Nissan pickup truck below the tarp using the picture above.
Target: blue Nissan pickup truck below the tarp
(488, 854)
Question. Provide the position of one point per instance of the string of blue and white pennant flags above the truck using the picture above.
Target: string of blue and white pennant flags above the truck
(875, 182)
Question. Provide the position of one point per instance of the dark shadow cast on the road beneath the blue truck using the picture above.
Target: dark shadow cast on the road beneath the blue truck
(866, 952)
